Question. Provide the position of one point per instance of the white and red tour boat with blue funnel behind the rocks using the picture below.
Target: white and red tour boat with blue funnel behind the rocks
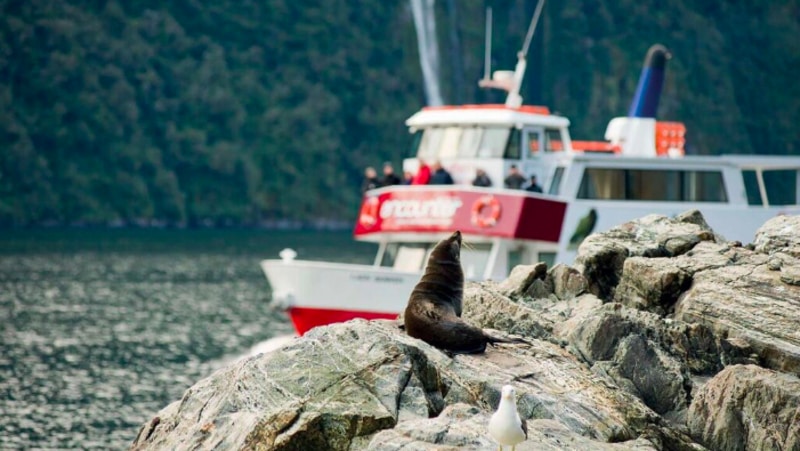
(640, 168)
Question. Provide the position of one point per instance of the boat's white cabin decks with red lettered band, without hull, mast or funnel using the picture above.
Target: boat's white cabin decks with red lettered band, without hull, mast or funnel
(587, 187)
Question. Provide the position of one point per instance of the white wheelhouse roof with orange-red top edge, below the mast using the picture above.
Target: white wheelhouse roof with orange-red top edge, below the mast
(487, 115)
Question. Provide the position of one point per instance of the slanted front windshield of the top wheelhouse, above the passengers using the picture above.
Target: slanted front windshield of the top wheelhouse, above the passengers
(466, 141)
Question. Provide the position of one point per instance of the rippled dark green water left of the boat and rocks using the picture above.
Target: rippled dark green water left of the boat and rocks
(101, 329)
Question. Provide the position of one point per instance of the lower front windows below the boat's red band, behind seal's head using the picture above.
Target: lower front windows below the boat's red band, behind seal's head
(412, 257)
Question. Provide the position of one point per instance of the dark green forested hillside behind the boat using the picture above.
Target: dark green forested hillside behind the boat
(239, 112)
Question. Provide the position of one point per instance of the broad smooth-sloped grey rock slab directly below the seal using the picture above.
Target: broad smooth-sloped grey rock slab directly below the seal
(338, 385)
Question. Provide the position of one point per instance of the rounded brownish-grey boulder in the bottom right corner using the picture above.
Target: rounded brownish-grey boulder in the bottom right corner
(746, 407)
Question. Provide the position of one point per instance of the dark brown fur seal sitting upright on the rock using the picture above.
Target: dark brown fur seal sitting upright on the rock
(433, 313)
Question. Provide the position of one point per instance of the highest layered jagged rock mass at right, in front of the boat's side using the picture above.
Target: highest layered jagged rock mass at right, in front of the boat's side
(675, 267)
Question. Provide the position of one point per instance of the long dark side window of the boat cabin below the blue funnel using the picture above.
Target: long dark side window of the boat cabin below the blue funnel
(652, 185)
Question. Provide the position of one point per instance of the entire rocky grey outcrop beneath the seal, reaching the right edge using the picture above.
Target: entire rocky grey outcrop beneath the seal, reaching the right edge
(662, 336)
